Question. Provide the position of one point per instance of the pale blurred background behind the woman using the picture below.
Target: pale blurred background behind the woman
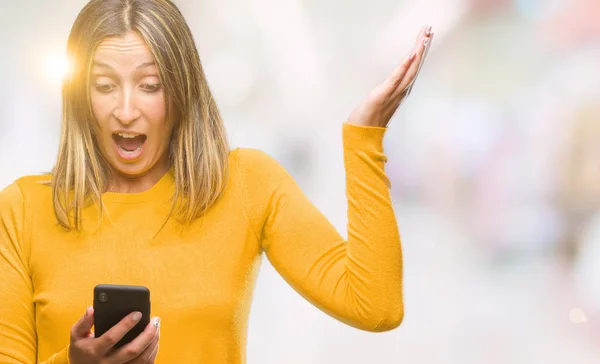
(494, 159)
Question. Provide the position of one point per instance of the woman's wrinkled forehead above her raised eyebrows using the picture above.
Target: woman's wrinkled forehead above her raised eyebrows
(129, 50)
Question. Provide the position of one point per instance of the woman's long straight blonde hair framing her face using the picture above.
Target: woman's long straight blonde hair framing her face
(199, 148)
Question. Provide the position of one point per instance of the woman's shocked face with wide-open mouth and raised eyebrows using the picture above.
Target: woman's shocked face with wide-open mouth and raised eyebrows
(128, 102)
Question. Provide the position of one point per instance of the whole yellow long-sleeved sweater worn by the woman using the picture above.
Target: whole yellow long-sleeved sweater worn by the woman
(201, 278)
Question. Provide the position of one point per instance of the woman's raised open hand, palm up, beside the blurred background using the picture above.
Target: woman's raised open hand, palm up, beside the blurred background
(384, 100)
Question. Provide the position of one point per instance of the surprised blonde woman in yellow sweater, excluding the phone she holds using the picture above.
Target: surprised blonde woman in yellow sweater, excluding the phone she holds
(146, 192)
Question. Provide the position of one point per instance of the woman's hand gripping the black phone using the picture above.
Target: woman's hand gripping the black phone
(86, 349)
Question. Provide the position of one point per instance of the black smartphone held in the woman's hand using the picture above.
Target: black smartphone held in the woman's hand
(113, 302)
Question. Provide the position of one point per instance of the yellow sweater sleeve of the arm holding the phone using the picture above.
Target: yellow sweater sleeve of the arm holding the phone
(18, 342)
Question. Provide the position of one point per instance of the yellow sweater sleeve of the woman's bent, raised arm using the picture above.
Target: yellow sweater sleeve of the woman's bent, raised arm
(358, 281)
